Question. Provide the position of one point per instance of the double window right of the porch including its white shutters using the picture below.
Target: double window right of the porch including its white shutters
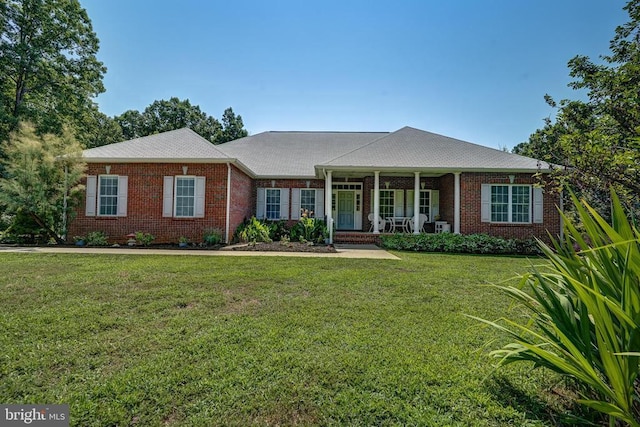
(510, 203)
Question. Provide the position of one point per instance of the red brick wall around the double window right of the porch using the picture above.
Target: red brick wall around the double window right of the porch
(470, 205)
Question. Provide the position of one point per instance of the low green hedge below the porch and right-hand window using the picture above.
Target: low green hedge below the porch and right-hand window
(458, 243)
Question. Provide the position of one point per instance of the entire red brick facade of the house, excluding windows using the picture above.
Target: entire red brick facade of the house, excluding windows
(145, 201)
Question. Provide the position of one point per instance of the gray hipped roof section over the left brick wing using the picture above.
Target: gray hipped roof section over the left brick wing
(174, 146)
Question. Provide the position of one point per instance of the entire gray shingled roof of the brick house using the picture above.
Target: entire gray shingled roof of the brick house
(304, 154)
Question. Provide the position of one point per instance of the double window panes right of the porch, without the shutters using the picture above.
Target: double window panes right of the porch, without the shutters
(511, 203)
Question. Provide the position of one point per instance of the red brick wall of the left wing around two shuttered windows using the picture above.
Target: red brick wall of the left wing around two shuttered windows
(144, 203)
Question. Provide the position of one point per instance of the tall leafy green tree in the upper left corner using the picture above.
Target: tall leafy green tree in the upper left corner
(48, 66)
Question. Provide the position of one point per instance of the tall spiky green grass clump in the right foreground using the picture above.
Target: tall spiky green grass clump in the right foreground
(585, 309)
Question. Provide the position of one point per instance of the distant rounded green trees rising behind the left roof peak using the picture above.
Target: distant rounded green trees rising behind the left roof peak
(166, 115)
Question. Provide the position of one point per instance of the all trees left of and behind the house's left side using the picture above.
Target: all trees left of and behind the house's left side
(49, 79)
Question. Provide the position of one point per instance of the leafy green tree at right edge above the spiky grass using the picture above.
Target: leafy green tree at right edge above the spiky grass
(597, 140)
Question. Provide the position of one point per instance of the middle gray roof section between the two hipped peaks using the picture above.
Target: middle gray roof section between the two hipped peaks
(294, 154)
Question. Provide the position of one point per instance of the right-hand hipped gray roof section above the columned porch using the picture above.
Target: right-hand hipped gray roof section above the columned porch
(415, 149)
